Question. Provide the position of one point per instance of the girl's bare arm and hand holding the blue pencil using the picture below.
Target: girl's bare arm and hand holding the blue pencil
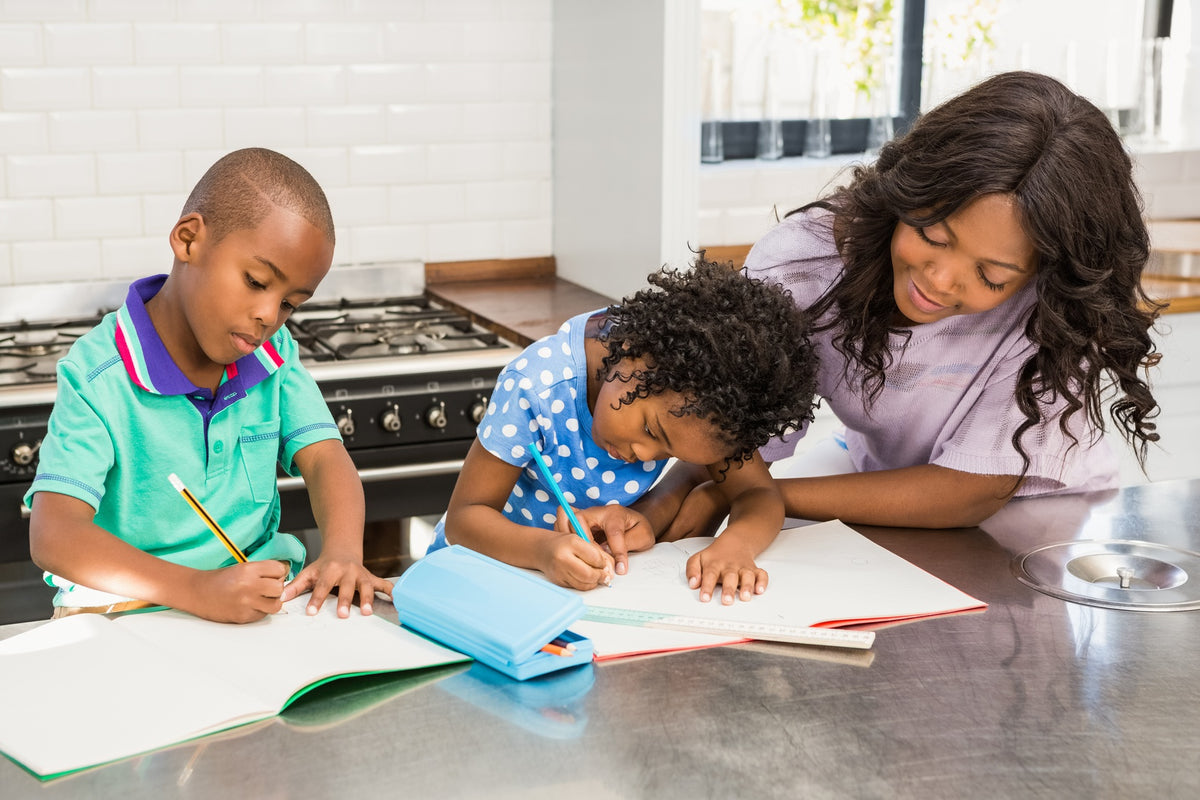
(475, 520)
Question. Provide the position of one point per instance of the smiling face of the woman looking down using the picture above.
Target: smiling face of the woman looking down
(974, 261)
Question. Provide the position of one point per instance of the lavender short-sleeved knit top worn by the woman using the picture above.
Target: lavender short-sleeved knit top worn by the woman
(949, 399)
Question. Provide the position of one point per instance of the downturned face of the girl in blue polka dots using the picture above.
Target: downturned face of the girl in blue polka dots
(649, 430)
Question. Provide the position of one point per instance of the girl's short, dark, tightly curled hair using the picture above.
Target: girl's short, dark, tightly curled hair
(735, 348)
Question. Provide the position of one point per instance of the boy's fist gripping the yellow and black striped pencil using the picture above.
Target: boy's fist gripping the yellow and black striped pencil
(242, 593)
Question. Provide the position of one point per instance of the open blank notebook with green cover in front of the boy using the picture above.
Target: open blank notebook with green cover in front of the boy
(88, 690)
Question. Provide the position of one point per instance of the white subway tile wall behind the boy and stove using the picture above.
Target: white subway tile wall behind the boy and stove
(427, 122)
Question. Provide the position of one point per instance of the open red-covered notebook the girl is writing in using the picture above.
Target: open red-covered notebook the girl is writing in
(821, 576)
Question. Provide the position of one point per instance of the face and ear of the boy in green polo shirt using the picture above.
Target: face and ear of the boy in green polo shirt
(238, 292)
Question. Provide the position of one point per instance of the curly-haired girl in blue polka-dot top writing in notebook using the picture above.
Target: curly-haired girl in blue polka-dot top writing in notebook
(705, 369)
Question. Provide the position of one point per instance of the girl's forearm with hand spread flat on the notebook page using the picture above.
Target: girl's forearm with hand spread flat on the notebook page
(757, 515)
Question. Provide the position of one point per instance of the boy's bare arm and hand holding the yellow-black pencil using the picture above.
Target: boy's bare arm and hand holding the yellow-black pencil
(65, 540)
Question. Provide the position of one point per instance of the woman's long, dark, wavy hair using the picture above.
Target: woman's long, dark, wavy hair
(1057, 155)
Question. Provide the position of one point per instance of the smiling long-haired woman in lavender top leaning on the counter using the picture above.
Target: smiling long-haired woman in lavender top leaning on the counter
(977, 300)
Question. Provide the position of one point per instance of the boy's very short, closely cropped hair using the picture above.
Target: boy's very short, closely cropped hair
(242, 188)
